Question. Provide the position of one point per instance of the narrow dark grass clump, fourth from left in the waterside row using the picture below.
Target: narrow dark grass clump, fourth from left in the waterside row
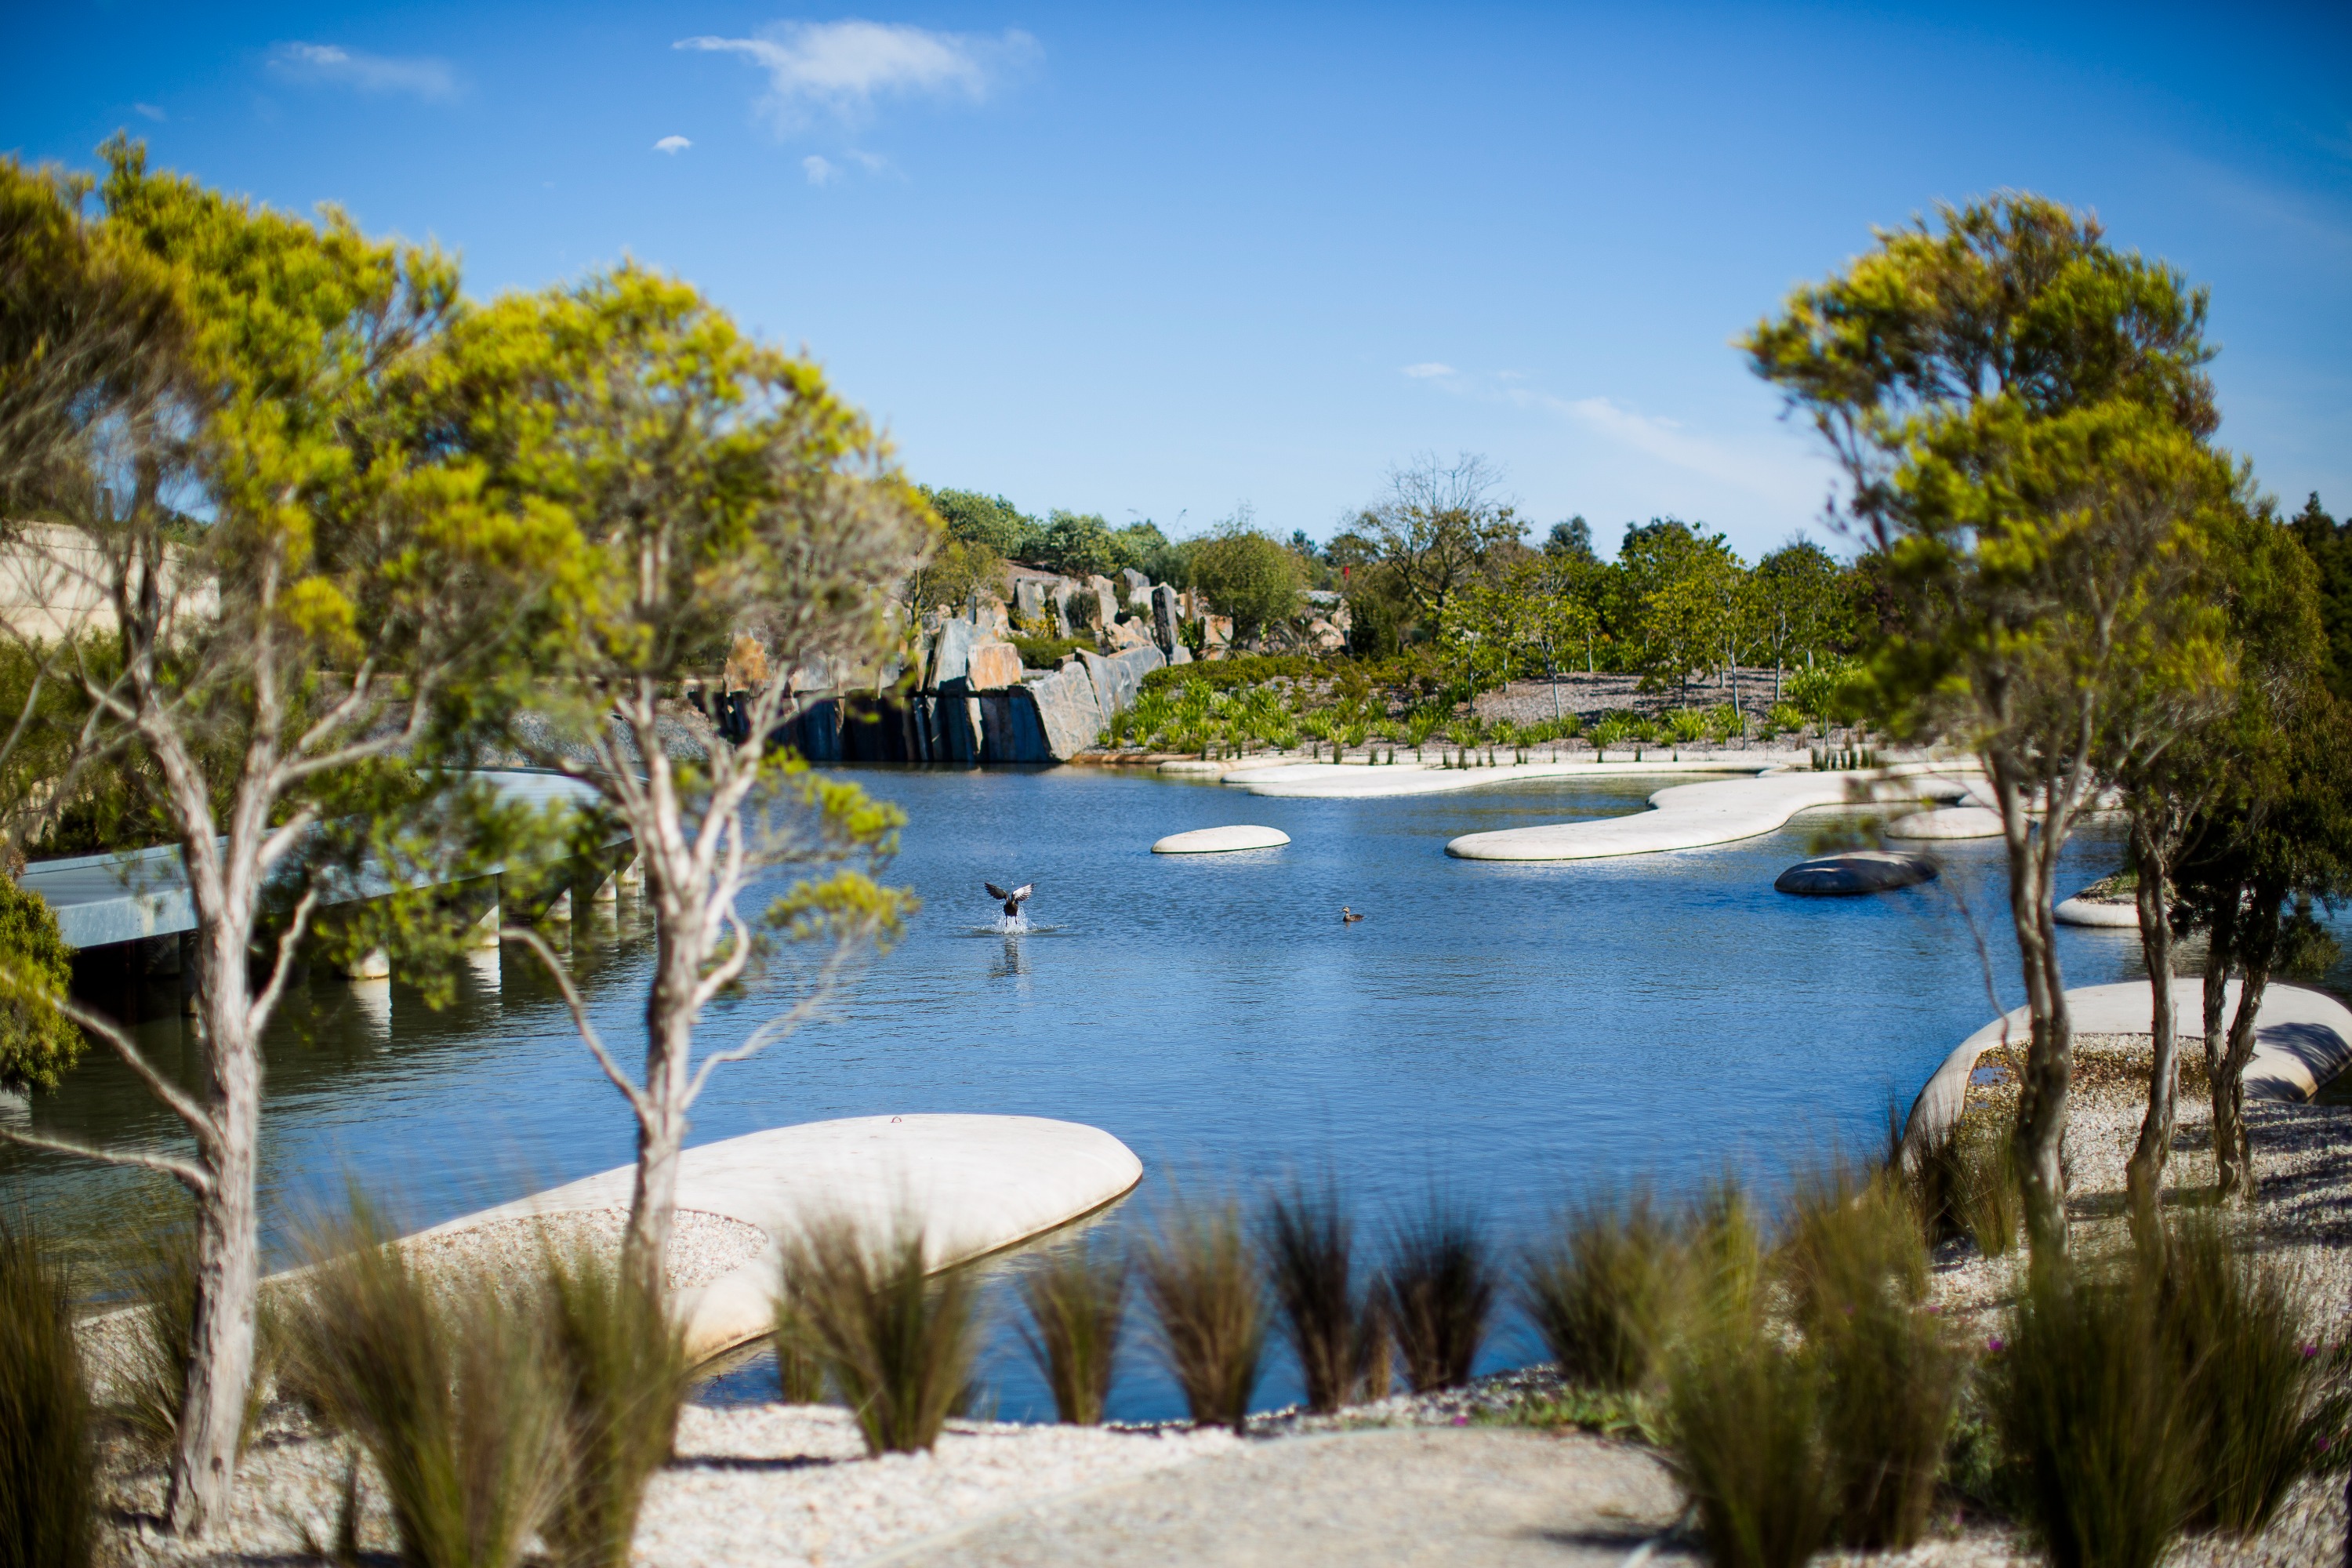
(1335, 1327)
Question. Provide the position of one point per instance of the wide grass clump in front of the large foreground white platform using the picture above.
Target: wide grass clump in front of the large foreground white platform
(895, 1343)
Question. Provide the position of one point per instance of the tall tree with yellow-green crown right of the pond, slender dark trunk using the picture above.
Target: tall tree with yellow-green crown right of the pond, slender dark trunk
(2022, 415)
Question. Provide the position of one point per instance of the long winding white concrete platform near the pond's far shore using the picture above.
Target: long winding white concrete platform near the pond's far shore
(1690, 817)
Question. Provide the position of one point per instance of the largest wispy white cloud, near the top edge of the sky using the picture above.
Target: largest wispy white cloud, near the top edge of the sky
(843, 67)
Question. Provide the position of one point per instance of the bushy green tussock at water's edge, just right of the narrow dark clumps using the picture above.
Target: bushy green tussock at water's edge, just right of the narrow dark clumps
(1598, 1289)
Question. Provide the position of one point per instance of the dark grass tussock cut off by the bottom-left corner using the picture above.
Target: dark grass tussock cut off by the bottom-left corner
(46, 1421)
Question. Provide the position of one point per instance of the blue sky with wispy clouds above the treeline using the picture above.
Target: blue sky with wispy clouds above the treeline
(1170, 262)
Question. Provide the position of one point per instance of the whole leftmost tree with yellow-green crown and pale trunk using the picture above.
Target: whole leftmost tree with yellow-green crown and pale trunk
(260, 577)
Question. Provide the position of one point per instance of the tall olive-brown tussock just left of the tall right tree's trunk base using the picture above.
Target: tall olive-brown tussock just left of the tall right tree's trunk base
(1890, 1369)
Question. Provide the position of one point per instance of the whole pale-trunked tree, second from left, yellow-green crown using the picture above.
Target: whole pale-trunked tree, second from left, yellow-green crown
(711, 490)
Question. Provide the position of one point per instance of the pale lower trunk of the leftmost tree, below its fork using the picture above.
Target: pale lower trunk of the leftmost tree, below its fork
(227, 1252)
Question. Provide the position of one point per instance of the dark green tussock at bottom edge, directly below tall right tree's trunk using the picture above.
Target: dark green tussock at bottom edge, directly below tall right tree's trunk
(2097, 1419)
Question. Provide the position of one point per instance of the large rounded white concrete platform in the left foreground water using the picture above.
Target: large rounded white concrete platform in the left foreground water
(975, 1186)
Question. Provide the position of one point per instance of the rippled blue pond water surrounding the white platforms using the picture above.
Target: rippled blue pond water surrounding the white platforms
(1497, 1031)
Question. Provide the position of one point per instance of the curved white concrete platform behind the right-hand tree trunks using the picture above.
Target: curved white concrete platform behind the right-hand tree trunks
(2301, 1043)
